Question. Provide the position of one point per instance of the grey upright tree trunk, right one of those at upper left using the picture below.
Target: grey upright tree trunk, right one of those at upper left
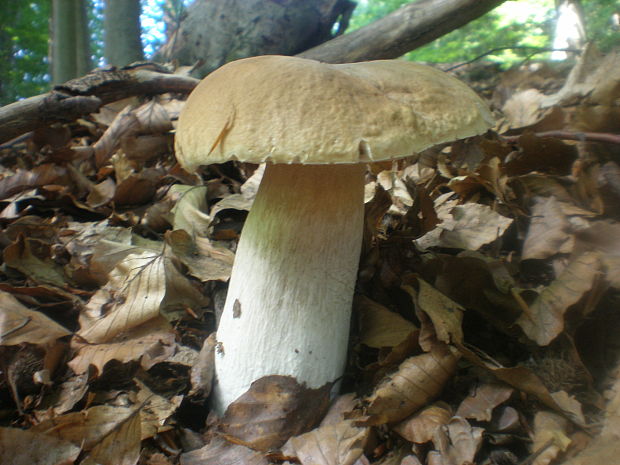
(122, 32)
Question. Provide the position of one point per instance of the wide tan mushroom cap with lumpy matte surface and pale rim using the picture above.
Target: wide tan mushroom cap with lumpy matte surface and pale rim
(293, 110)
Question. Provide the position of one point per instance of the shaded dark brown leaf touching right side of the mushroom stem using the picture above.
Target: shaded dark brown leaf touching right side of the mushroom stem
(380, 327)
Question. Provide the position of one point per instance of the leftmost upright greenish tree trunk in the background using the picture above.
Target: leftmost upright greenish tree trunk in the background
(64, 66)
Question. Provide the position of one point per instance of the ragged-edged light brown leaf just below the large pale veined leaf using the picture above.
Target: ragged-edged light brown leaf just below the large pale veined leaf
(151, 343)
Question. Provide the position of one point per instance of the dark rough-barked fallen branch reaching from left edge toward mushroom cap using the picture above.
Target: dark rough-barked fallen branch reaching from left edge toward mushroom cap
(86, 95)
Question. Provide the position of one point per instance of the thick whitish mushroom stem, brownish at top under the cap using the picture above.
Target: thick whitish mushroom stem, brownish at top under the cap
(288, 306)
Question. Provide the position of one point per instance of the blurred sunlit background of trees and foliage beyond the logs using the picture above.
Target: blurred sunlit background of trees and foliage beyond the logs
(49, 41)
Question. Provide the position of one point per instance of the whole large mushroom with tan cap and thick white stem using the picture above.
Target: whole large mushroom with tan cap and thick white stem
(316, 126)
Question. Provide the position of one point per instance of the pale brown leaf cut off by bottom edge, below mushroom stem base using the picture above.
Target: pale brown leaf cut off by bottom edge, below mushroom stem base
(221, 452)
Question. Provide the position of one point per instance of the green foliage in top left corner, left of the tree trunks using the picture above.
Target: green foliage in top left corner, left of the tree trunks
(23, 49)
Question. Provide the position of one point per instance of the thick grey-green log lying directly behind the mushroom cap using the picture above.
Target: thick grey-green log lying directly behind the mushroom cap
(218, 31)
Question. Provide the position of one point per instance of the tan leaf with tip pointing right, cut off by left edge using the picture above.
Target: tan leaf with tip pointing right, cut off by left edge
(19, 324)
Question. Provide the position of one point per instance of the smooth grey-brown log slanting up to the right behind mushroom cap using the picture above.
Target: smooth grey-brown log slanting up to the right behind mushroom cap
(405, 29)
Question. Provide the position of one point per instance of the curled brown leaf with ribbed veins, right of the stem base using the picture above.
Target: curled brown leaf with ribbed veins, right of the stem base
(417, 381)
